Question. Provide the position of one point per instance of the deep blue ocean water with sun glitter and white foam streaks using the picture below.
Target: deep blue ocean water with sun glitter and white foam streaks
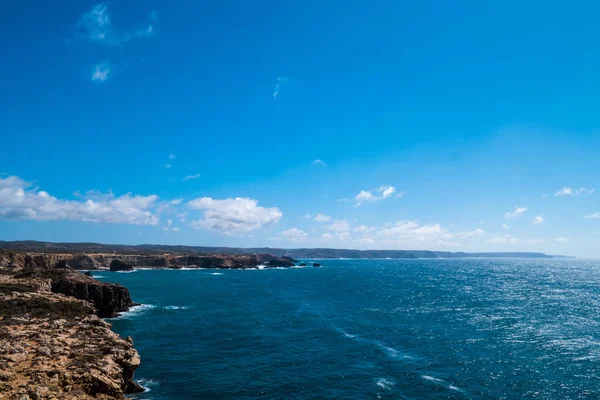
(369, 329)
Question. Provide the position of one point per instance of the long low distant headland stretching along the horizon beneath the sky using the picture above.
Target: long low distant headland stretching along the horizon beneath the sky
(50, 247)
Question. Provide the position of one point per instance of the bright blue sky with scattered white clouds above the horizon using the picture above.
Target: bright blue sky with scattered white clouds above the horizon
(459, 126)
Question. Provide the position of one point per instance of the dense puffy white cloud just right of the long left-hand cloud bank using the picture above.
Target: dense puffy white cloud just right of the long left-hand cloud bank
(231, 216)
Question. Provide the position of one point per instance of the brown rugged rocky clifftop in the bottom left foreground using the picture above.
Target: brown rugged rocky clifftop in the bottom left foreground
(55, 346)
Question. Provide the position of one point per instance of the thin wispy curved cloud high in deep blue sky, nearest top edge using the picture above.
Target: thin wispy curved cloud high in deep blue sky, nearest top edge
(96, 26)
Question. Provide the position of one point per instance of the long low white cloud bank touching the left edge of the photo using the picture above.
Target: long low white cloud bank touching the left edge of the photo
(18, 201)
